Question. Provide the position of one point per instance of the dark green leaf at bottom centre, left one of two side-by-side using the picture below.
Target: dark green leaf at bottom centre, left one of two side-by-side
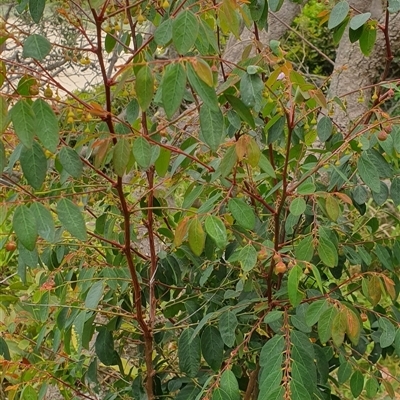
(189, 353)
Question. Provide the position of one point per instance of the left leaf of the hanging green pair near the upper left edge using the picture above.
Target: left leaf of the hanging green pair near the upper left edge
(23, 119)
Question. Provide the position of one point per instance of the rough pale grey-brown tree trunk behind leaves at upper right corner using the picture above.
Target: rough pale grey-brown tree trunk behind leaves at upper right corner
(353, 71)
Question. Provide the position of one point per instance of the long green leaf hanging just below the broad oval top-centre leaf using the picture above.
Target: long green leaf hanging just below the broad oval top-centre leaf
(173, 88)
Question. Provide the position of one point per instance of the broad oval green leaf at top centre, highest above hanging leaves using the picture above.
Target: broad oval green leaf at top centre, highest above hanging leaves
(184, 31)
